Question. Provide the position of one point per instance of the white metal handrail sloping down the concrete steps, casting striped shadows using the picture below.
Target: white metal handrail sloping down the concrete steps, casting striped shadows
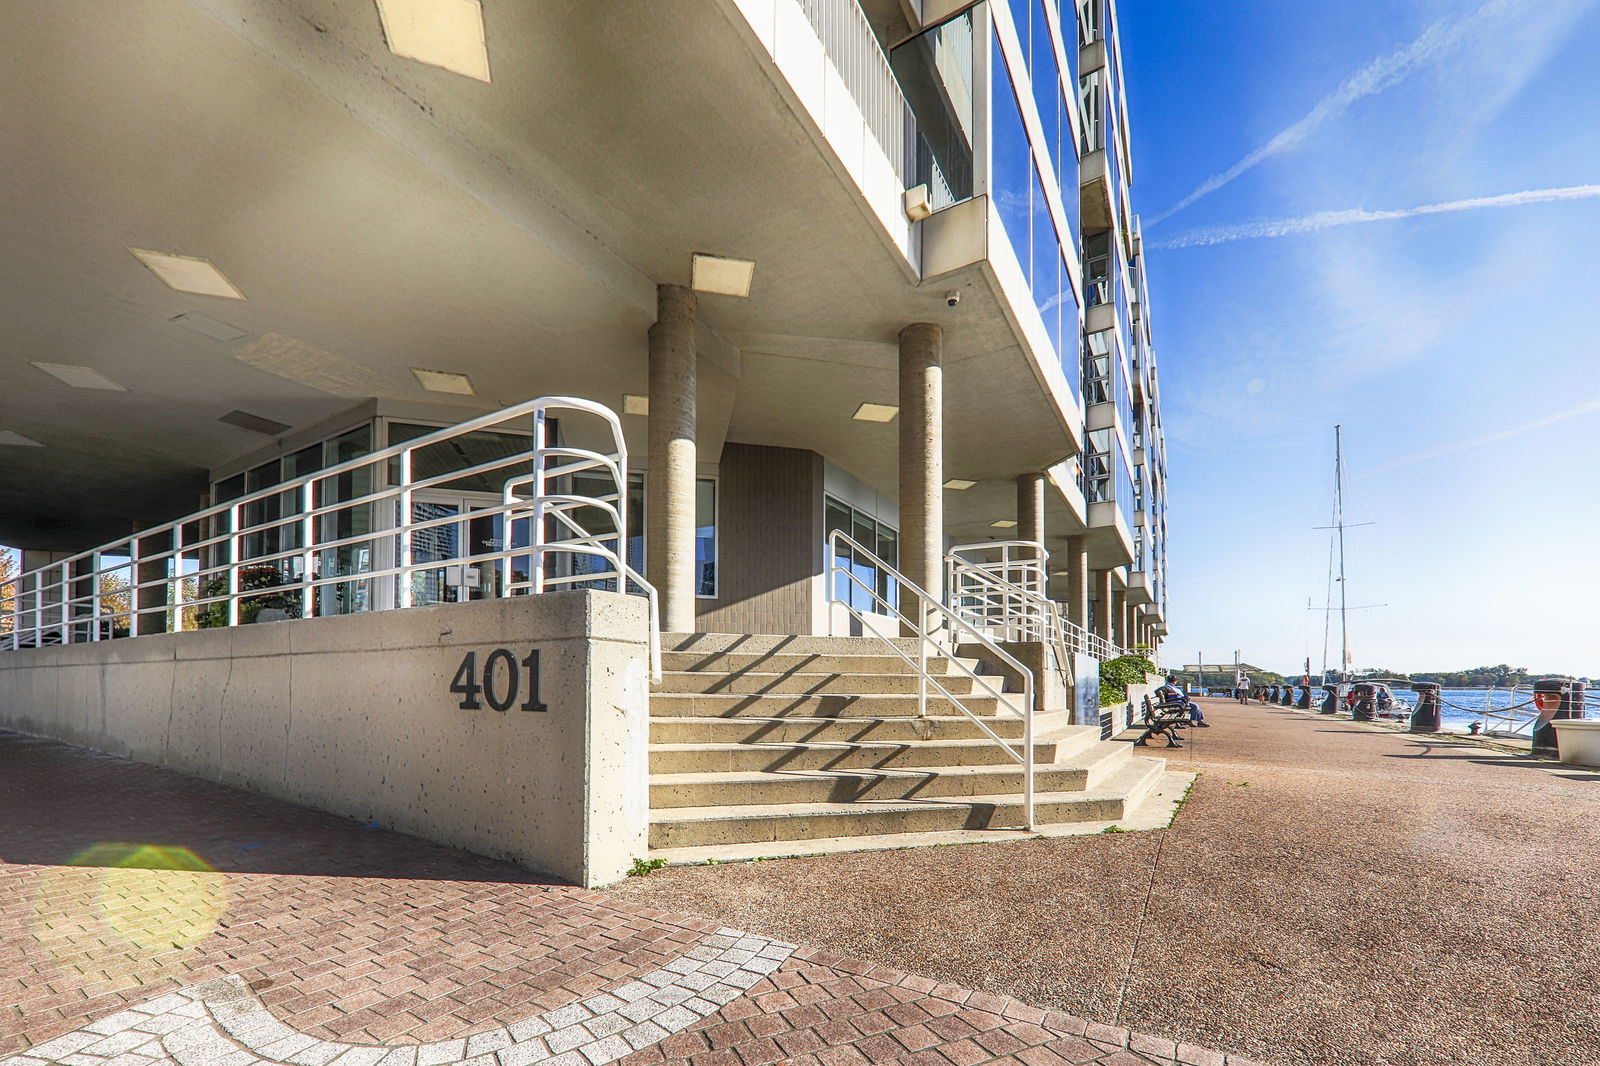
(926, 635)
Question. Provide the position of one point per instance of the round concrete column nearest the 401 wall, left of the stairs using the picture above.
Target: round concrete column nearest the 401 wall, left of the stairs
(670, 524)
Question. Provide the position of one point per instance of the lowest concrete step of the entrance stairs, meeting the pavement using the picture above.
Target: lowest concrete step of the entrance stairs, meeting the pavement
(783, 824)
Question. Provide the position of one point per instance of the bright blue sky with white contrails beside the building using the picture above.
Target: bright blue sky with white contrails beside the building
(1382, 215)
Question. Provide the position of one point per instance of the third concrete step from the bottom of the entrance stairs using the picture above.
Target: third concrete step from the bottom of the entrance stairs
(834, 756)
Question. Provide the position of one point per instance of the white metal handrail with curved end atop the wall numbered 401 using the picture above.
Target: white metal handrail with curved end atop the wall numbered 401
(210, 545)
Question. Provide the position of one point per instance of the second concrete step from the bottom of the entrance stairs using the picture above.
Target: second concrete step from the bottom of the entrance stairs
(897, 783)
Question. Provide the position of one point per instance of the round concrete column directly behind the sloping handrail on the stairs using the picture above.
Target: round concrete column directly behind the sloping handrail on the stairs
(922, 455)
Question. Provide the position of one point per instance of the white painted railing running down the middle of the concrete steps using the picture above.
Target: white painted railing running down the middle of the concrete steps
(930, 623)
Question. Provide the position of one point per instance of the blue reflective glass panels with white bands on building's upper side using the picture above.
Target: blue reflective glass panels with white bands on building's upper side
(1033, 178)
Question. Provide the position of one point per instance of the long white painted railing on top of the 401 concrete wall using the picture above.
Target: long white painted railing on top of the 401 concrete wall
(351, 537)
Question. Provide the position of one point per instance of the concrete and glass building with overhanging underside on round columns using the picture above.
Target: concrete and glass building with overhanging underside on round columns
(844, 303)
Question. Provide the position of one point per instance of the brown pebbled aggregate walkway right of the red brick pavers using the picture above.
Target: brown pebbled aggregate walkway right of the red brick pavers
(1330, 896)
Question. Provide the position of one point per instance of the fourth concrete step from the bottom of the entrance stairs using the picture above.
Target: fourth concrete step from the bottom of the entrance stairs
(846, 731)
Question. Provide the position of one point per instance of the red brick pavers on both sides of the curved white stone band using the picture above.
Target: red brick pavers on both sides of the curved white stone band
(358, 936)
